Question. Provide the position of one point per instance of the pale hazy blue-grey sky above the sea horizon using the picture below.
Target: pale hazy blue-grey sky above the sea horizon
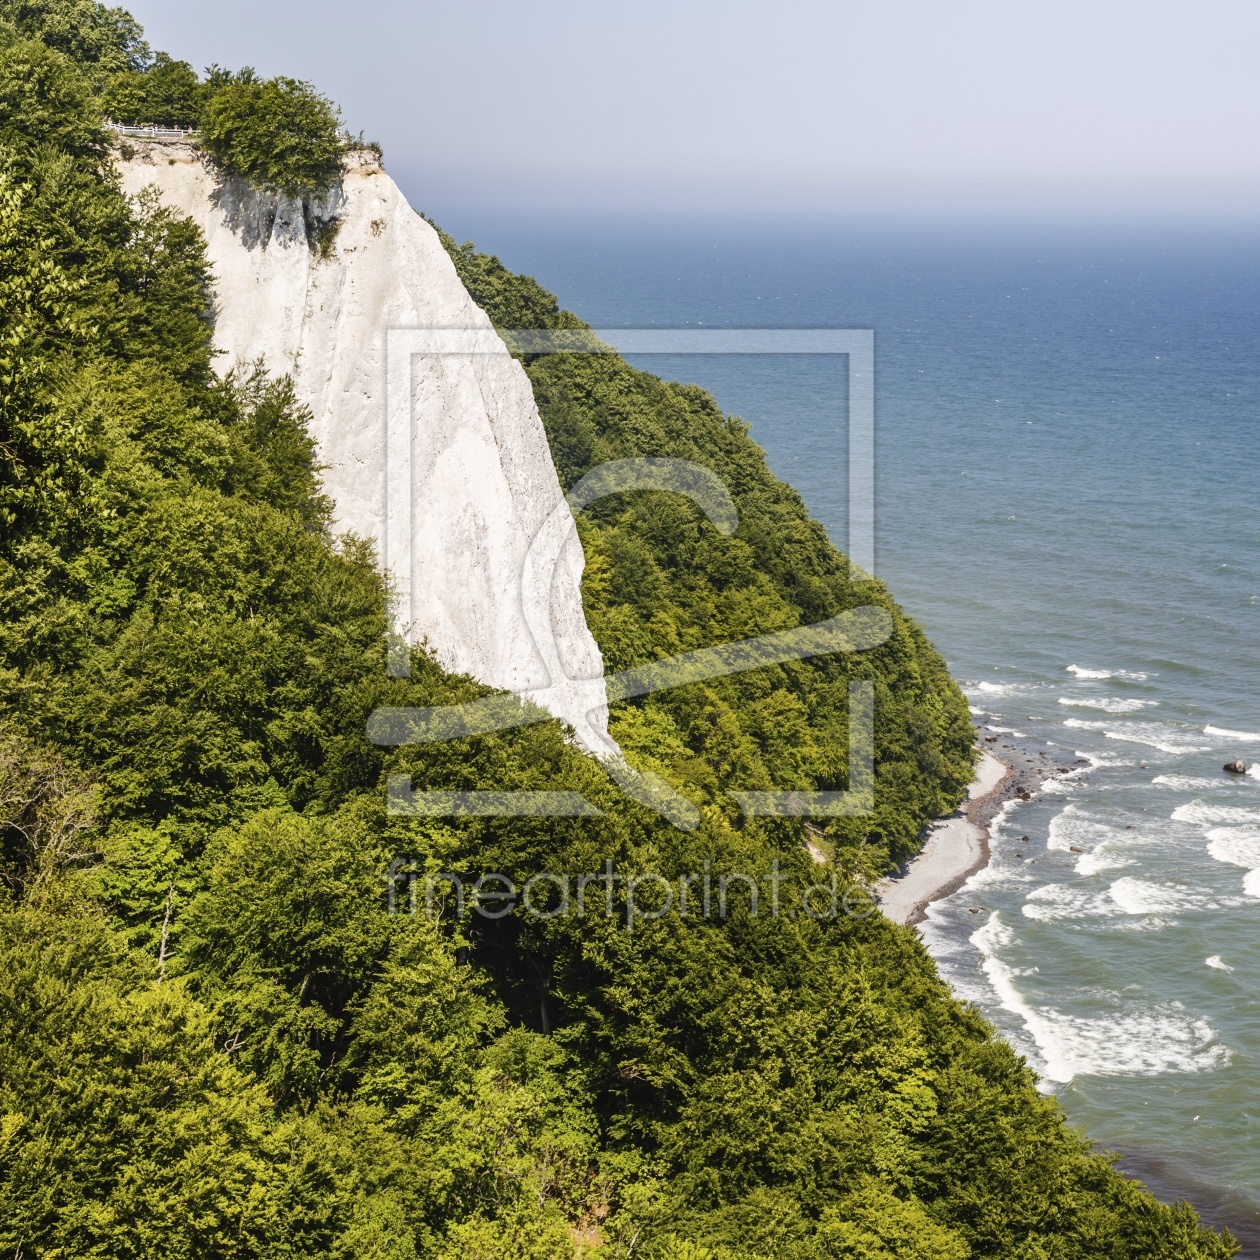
(905, 105)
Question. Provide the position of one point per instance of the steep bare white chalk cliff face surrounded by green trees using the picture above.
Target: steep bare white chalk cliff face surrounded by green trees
(450, 474)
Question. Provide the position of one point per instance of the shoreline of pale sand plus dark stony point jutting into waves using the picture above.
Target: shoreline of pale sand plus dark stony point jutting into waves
(958, 847)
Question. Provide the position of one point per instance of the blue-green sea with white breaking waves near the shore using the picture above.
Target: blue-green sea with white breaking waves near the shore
(1068, 500)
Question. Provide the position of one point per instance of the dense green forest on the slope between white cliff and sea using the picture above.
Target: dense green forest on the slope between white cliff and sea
(660, 583)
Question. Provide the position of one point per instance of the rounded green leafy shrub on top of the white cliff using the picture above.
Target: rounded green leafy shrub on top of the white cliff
(280, 134)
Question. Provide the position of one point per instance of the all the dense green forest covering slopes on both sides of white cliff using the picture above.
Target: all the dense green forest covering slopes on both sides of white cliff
(216, 1041)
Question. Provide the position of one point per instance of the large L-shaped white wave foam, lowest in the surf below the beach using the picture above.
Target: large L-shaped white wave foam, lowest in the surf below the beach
(1137, 1043)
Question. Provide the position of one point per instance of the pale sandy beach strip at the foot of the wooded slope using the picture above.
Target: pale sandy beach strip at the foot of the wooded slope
(956, 849)
